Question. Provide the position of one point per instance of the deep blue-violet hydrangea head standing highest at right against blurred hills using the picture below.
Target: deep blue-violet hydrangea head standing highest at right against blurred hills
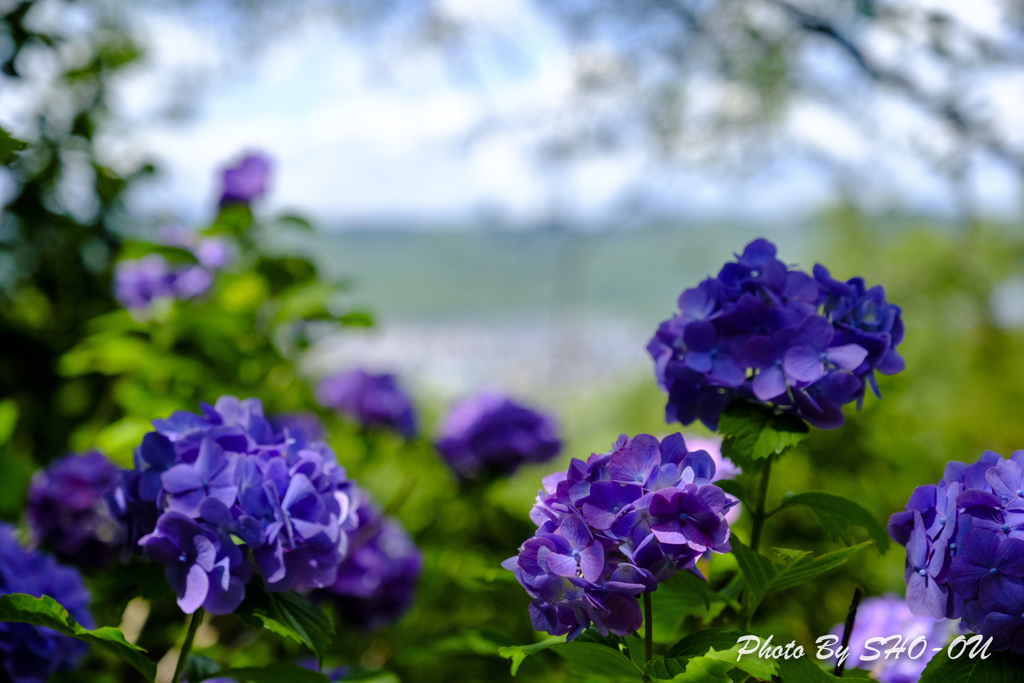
(764, 333)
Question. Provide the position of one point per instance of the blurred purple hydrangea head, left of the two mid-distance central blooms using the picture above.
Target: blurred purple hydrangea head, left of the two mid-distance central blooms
(376, 402)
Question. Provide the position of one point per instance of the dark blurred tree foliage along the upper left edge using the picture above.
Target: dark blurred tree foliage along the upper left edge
(64, 222)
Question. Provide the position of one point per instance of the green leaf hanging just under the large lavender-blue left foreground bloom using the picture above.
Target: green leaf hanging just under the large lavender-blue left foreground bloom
(289, 615)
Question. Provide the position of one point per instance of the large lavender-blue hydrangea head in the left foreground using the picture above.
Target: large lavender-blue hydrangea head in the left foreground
(209, 489)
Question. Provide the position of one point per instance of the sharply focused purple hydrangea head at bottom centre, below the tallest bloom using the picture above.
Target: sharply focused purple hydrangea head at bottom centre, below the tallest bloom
(614, 528)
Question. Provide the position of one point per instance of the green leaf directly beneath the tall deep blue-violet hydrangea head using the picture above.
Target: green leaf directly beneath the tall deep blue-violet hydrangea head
(754, 433)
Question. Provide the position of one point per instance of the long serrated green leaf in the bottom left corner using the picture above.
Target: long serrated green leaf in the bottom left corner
(48, 613)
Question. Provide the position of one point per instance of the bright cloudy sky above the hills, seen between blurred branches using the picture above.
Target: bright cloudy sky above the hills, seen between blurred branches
(383, 137)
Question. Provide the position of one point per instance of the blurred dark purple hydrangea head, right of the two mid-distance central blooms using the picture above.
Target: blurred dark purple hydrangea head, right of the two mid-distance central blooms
(489, 435)
